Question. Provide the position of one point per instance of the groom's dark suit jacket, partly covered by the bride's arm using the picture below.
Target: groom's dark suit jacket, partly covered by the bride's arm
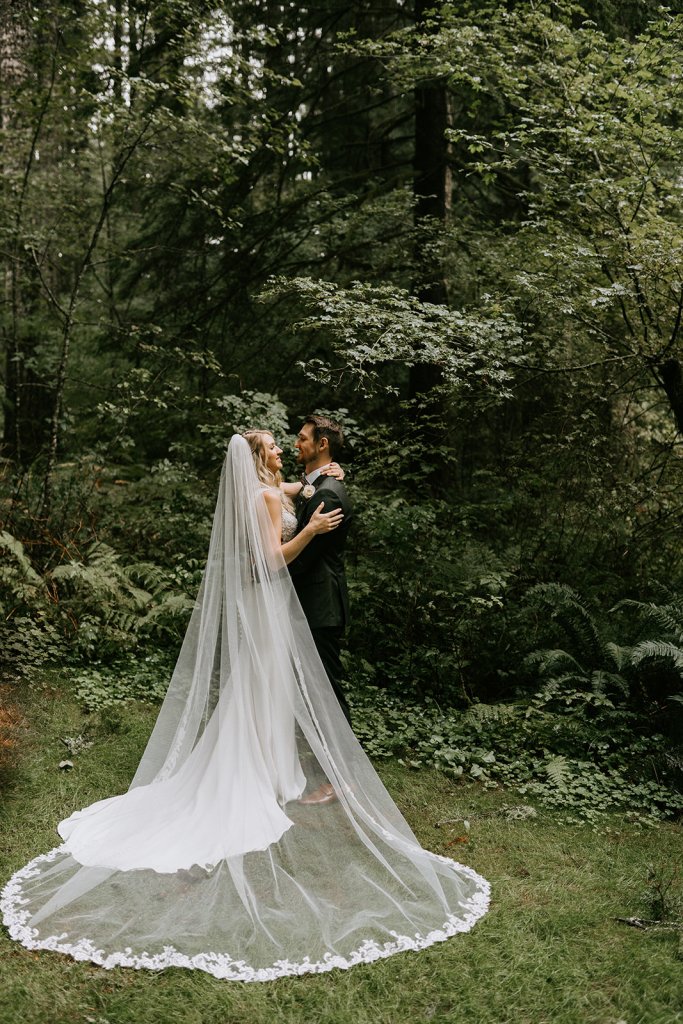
(318, 574)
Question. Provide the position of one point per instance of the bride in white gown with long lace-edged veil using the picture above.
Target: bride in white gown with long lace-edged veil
(210, 862)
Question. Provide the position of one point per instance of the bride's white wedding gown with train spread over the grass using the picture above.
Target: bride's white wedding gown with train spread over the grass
(172, 824)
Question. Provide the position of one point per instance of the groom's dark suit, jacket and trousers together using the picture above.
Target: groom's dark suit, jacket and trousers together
(320, 580)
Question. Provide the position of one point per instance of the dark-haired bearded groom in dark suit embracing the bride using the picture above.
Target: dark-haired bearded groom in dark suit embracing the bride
(318, 574)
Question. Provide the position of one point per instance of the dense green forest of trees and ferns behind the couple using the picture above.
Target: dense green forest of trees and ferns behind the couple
(457, 229)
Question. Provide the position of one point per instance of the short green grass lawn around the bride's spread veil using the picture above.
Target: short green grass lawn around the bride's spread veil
(549, 951)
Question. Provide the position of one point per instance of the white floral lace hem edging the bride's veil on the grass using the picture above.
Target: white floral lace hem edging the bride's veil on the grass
(223, 965)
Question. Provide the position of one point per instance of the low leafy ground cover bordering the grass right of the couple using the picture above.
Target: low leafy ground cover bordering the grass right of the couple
(550, 748)
